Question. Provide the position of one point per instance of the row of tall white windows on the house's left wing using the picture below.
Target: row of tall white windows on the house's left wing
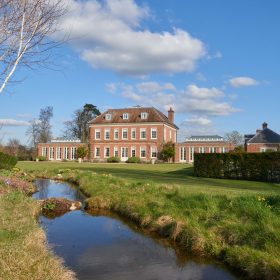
(61, 153)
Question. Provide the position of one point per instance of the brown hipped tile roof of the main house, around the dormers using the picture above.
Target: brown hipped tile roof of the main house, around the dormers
(154, 116)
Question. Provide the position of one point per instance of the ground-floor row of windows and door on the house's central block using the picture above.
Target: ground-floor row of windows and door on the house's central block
(123, 152)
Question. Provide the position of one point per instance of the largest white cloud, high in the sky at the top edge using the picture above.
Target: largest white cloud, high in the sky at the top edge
(108, 35)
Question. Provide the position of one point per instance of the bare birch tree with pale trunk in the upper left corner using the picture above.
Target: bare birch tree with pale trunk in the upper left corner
(26, 27)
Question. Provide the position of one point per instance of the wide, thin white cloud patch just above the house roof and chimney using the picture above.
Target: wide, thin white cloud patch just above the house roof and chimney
(194, 100)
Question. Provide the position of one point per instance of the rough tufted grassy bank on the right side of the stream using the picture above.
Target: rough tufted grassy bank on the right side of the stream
(242, 230)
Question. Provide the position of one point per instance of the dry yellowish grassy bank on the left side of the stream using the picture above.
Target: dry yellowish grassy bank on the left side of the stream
(23, 249)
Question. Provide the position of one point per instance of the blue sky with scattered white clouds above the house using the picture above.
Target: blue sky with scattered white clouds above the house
(216, 62)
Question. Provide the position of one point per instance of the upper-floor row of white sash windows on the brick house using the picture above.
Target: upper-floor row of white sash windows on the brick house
(124, 133)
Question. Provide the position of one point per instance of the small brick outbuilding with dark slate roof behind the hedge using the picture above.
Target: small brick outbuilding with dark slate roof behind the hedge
(264, 140)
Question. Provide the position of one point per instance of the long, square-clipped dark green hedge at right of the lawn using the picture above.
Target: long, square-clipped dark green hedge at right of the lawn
(244, 166)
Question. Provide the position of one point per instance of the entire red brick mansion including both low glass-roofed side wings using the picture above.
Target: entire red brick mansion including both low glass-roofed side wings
(134, 132)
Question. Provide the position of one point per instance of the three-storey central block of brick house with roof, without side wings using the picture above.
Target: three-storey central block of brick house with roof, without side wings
(124, 133)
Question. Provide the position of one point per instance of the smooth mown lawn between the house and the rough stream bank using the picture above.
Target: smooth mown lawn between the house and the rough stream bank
(175, 174)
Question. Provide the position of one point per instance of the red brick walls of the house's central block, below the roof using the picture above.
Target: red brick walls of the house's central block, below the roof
(109, 146)
